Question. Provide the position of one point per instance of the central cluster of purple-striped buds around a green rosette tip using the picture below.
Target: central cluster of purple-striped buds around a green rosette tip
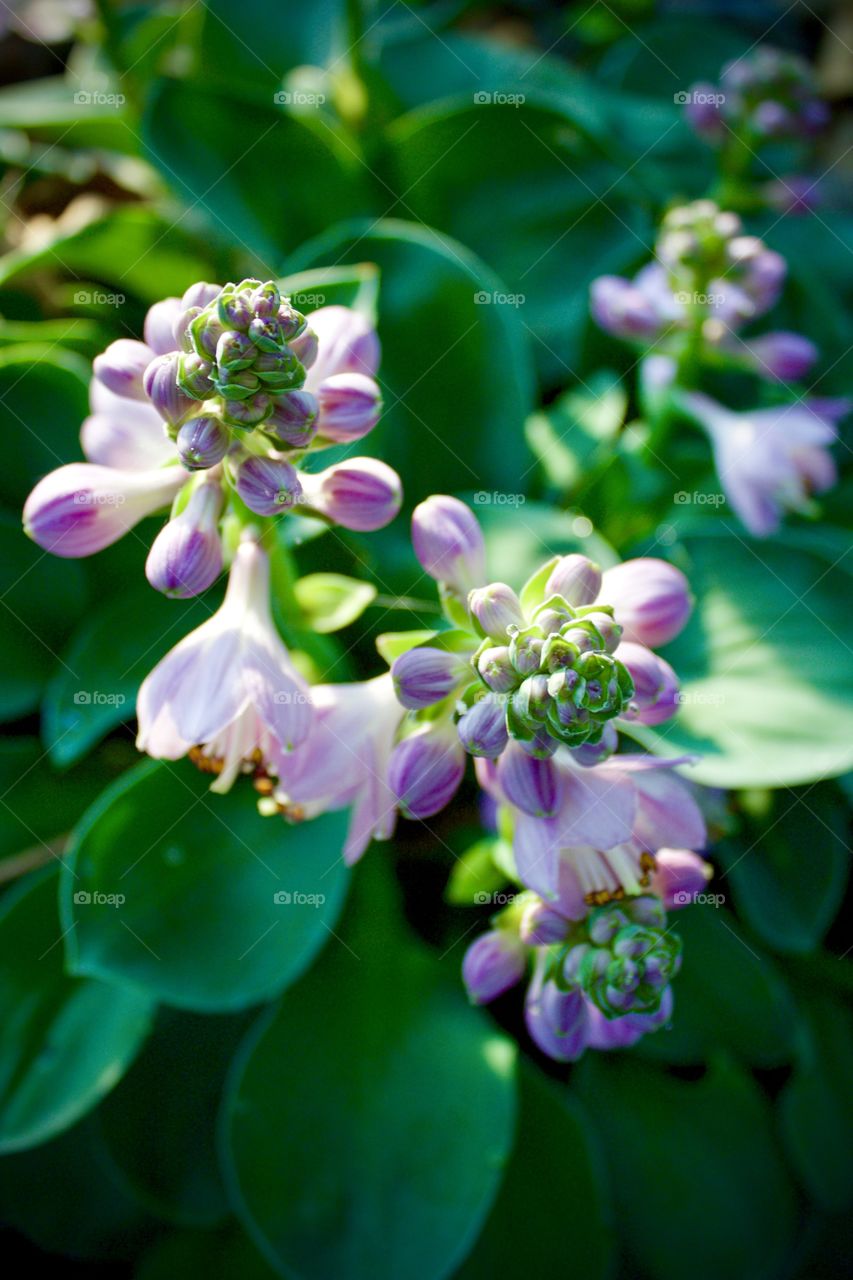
(554, 668)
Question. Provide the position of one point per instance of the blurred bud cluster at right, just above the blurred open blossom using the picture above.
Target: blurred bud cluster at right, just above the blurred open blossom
(709, 281)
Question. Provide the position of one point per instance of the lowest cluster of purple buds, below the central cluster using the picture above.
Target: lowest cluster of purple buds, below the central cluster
(599, 982)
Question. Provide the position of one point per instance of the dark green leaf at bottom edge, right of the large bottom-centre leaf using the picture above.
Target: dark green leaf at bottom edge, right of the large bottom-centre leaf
(554, 1199)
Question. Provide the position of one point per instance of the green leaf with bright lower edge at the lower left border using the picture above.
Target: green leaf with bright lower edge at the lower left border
(53, 1068)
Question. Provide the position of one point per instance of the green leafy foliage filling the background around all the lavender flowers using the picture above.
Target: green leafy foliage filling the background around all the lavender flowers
(190, 1089)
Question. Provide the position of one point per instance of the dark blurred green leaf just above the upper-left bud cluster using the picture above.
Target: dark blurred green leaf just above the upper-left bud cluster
(226, 158)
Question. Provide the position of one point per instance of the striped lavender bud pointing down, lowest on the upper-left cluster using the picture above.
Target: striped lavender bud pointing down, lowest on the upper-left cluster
(186, 556)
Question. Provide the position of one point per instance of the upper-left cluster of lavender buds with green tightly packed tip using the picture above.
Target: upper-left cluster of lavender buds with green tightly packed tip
(215, 414)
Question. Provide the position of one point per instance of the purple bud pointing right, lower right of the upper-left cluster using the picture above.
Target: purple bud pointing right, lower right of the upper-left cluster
(362, 493)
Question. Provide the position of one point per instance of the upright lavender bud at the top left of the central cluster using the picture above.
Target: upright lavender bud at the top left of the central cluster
(449, 543)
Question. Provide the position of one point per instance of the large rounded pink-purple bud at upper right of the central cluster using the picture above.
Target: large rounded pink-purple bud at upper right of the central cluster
(651, 600)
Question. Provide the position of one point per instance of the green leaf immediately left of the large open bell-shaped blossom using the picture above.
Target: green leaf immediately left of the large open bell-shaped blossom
(107, 661)
